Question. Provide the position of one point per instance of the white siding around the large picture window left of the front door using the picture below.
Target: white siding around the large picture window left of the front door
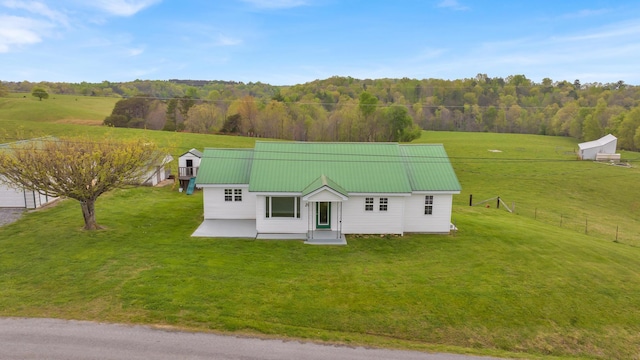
(279, 225)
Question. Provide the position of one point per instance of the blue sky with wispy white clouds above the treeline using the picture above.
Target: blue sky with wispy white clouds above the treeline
(286, 42)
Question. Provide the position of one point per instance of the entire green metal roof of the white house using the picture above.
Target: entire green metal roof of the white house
(303, 167)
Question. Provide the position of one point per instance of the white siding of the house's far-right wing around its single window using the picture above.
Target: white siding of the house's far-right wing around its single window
(438, 222)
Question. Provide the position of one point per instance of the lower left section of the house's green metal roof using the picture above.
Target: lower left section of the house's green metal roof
(225, 166)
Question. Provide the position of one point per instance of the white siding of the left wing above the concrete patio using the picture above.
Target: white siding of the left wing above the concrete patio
(216, 208)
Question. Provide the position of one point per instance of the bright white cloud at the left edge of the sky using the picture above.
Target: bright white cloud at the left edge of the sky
(17, 31)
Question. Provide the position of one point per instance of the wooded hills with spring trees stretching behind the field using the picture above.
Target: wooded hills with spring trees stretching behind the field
(349, 109)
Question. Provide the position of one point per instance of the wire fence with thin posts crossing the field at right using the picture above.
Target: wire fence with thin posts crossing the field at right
(616, 231)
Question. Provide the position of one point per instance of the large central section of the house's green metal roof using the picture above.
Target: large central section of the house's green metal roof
(357, 167)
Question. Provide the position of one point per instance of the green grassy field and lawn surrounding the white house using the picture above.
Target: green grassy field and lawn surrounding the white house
(506, 284)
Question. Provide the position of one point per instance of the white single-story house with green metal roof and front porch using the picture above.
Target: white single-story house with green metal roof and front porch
(321, 191)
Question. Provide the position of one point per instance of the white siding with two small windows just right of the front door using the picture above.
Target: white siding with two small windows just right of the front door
(357, 221)
